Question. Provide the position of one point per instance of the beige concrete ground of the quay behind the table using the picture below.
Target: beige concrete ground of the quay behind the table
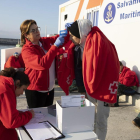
(120, 125)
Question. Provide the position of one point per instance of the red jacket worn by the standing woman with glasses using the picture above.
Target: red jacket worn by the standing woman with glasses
(37, 63)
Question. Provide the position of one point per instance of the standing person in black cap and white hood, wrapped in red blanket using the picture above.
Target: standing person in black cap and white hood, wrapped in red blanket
(96, 69)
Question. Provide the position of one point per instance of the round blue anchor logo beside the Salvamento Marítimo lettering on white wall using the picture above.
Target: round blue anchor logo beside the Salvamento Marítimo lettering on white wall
(109, 13)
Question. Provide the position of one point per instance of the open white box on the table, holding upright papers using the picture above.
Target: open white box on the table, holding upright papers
(75, 119)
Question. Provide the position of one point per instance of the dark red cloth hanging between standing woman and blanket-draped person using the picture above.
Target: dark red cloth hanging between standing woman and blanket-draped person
(65, 67)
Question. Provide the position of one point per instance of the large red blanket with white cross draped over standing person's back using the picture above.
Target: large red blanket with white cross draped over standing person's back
(100, 67)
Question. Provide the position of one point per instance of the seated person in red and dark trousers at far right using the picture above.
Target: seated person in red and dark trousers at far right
(128, 82)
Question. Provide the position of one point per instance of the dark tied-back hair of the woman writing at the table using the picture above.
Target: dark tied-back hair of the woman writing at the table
(16, 75)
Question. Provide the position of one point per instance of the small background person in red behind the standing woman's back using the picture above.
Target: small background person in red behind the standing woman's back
(15, 61)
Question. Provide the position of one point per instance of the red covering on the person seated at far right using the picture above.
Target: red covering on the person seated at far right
(128, 77)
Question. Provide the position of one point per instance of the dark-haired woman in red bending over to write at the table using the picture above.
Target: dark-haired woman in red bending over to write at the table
(12, 85)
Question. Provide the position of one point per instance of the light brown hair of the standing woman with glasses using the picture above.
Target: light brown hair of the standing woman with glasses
(24, 28)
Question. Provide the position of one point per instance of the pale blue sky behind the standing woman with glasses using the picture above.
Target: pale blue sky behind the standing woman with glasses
(14, 12)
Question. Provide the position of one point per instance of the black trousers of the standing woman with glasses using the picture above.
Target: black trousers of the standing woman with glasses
(37, 99)
